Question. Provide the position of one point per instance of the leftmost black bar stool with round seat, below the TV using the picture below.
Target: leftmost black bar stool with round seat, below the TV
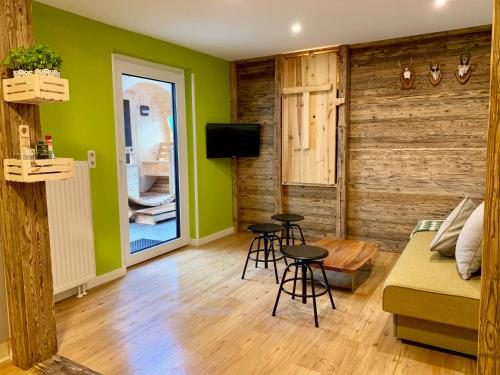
(266, 234)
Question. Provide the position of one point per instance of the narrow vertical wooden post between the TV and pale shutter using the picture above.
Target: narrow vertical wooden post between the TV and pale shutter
(278, 186)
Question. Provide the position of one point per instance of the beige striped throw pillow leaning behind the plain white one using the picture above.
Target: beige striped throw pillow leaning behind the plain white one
(446, 238)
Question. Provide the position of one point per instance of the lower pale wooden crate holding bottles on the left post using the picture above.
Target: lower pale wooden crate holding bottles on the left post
(37, 170)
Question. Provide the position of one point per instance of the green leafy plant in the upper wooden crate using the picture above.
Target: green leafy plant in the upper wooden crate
(37, 57)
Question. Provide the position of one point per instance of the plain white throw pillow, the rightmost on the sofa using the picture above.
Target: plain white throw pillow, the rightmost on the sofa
(469, 252)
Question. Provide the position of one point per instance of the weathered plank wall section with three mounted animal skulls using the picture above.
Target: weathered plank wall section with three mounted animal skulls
(414, 154)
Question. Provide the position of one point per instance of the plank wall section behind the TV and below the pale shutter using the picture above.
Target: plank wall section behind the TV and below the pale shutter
(257, 177)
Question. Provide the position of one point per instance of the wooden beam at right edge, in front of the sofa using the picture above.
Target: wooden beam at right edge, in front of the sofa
(489, 317)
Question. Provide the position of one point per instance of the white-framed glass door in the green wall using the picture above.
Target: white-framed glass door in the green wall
(151, 148)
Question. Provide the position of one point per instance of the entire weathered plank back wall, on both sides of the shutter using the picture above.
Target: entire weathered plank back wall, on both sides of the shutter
(412, 154)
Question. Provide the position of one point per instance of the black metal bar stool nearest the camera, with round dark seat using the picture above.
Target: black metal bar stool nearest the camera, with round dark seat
(304, 256)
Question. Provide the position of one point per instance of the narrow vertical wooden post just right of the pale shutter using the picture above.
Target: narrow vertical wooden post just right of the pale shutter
(342, 143)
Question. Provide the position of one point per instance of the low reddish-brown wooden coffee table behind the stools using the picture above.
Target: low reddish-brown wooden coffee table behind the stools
(346, 256)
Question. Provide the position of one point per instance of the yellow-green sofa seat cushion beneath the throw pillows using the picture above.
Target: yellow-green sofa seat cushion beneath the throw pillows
(427, 286)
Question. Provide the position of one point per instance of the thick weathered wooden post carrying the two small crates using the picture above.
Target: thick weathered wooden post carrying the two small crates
(24, 233)
